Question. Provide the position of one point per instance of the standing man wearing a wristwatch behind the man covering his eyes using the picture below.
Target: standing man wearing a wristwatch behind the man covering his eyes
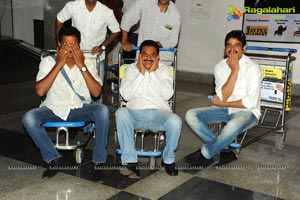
(92, 19)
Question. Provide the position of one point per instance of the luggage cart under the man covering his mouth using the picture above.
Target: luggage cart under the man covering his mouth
(276, 65)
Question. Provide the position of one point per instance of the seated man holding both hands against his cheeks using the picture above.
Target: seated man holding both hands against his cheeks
(147, 86)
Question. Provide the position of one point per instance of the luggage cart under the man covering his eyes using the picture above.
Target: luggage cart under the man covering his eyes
(64, 127)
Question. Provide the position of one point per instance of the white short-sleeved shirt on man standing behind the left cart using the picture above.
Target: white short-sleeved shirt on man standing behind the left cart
(92, 25)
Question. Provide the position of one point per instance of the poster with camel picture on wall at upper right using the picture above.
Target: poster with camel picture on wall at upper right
(272, 20)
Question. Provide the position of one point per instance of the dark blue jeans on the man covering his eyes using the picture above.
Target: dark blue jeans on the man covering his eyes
(97, 113)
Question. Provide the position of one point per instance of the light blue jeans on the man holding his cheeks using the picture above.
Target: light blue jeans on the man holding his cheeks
(149, 119)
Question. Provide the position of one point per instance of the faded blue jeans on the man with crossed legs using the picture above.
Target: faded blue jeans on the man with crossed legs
(236, 123)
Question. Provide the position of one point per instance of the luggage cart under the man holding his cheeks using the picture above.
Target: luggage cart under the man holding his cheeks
(142, 148)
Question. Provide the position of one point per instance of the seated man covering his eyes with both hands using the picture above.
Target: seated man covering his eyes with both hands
(66, 103)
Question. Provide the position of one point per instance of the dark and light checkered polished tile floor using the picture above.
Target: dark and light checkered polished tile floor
(261, 172)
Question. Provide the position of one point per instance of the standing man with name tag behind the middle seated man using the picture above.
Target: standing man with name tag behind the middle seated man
(159, 21)
